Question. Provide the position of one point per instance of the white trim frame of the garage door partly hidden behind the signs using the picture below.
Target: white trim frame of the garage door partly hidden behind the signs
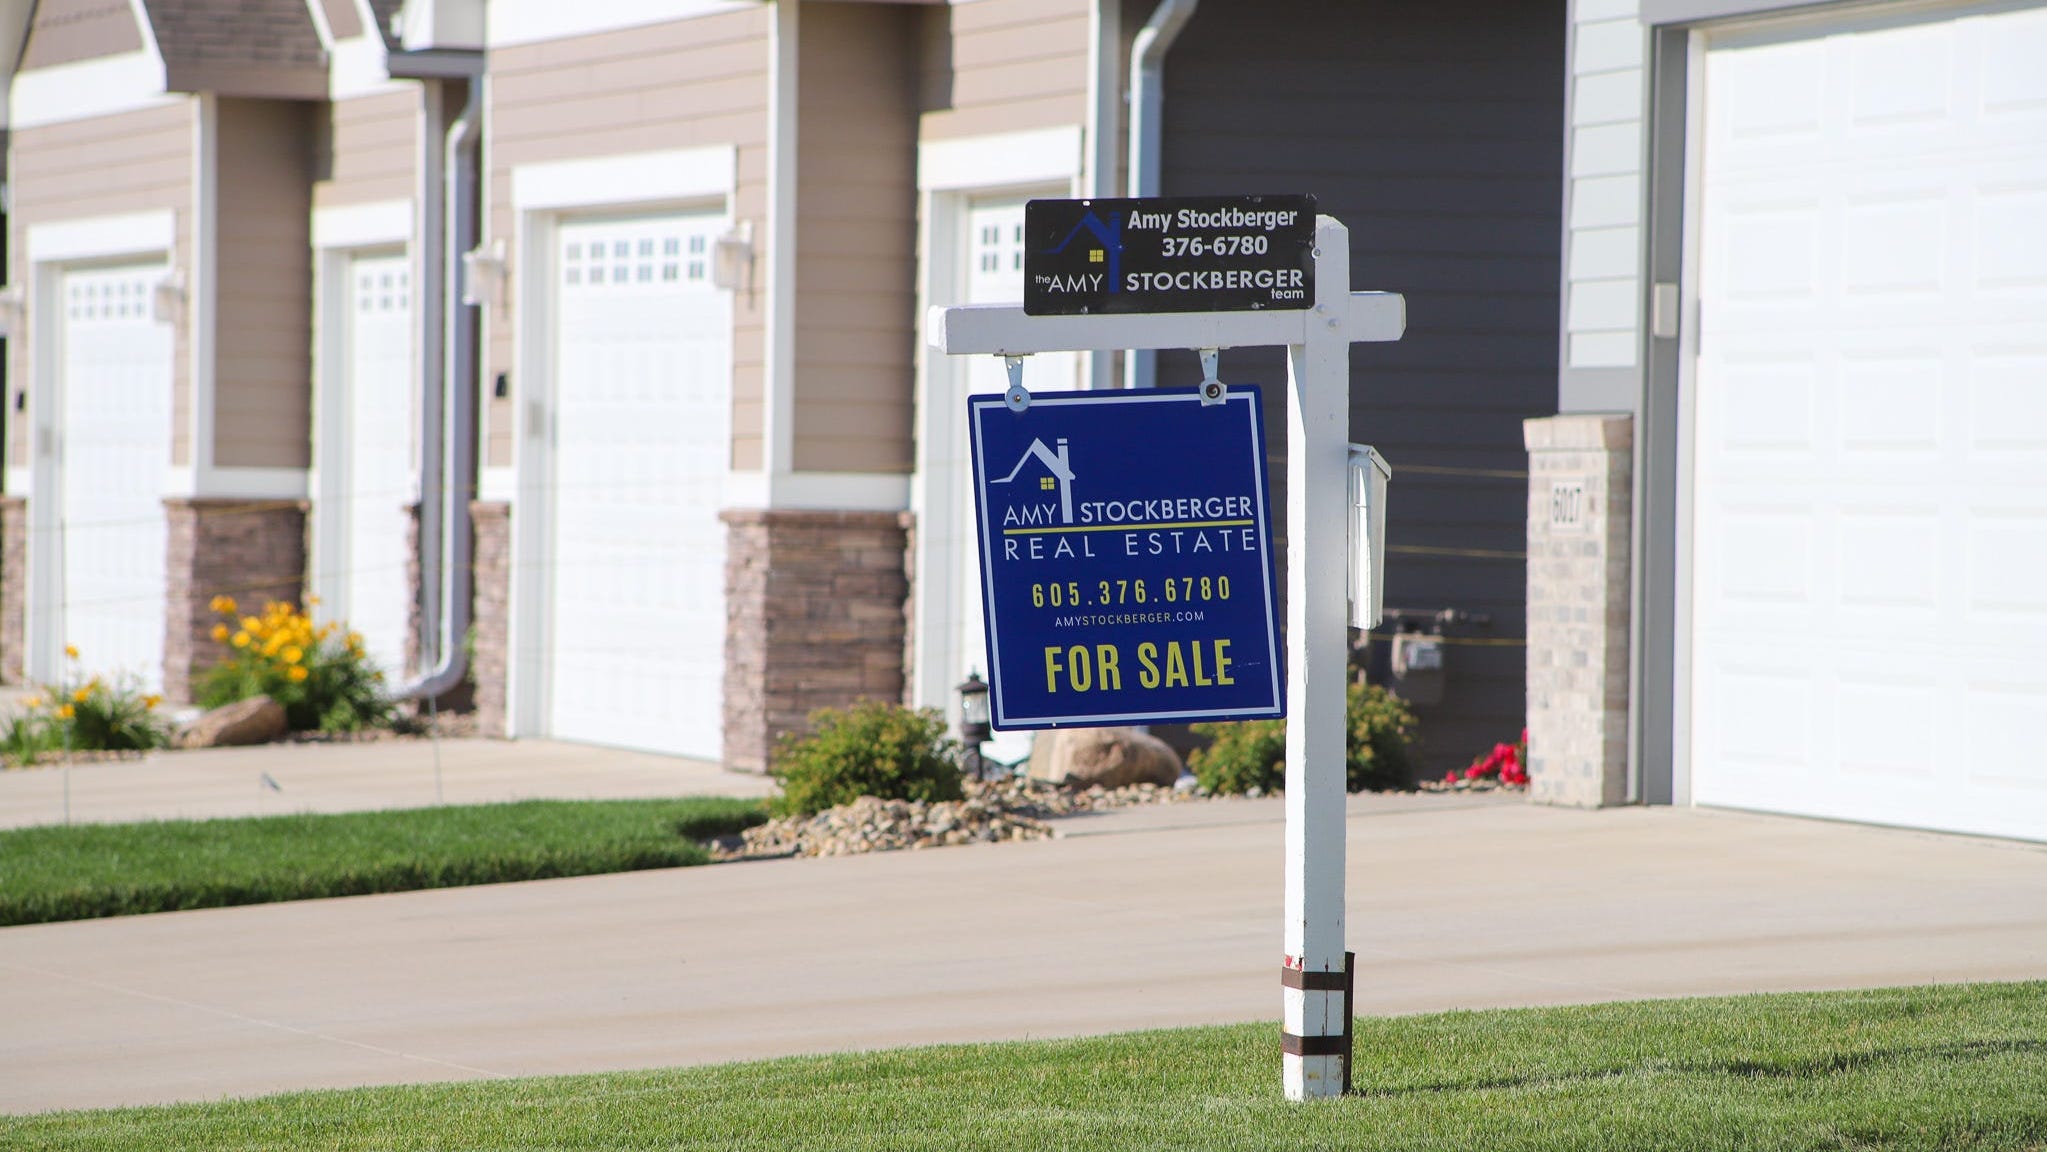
(951, 175)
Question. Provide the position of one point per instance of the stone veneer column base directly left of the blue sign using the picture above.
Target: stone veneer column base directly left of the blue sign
(814, 607)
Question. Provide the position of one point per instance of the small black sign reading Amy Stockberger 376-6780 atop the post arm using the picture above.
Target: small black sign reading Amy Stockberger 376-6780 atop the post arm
(1168, 255)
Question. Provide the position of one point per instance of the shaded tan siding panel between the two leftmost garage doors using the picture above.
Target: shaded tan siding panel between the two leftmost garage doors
(263, 302)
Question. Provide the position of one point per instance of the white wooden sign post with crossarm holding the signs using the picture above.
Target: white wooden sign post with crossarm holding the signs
(1317, 519)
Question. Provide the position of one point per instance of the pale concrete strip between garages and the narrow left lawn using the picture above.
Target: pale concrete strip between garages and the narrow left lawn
(351, 777)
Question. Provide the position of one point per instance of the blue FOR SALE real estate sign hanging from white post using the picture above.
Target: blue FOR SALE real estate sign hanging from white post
(1127, 560)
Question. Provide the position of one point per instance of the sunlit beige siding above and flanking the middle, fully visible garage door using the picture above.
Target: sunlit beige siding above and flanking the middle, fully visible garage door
(666, 87)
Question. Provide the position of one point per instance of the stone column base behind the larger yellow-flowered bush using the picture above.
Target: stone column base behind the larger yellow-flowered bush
(253, 551)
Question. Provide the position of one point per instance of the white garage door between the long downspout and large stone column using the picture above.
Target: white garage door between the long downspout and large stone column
(642, 445)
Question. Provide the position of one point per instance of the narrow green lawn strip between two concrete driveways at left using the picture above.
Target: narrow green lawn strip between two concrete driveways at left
(110, 871)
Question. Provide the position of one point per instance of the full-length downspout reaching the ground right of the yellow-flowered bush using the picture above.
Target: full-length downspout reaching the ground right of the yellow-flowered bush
(447, 420)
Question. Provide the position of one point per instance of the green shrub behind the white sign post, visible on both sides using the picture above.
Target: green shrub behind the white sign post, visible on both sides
(1252, 754)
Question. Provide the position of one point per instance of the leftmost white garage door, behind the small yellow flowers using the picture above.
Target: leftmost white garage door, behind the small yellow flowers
(116, 451)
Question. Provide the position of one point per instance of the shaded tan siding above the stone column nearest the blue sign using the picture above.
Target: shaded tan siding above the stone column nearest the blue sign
(857, 230)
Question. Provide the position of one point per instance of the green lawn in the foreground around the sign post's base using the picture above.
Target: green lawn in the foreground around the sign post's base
(1956, 1067)
